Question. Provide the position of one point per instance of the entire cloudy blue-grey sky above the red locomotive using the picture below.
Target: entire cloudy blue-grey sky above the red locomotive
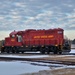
(37, 14)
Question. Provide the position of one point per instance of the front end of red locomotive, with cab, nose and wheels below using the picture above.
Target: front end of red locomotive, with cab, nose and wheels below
(12, 42)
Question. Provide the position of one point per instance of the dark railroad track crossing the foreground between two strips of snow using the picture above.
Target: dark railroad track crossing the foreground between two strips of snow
(37, 60)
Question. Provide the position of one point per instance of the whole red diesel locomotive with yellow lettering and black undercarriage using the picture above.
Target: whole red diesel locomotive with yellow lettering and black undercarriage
(45, 41)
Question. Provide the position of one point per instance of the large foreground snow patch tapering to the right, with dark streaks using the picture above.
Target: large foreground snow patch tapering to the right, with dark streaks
(21, 67)
